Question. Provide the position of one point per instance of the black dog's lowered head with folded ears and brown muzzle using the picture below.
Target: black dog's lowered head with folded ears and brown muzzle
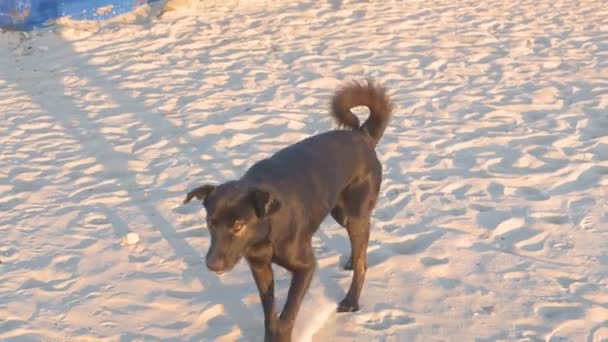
(236, 218)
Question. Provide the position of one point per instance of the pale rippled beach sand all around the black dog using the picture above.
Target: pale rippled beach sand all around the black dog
(493, 218)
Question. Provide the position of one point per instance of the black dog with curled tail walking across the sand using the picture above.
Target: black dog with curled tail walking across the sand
(270, 214)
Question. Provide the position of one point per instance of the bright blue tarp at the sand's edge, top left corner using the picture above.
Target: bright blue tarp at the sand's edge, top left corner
(28, 14)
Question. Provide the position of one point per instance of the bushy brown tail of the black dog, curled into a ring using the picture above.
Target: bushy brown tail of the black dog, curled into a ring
(366, 94)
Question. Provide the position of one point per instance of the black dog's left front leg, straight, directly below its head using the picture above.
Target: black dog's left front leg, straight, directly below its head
(264, 280)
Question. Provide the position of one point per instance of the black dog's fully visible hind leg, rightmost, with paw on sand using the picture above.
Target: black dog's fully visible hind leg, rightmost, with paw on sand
(358, 233)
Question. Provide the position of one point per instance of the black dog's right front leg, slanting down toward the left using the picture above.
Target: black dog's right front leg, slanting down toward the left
(300, 281)
